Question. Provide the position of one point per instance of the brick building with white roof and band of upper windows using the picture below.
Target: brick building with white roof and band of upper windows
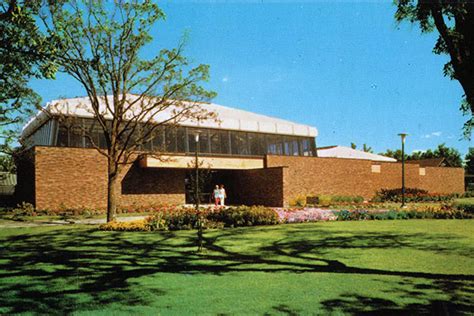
(261, 160)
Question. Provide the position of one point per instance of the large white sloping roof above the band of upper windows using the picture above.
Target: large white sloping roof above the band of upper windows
(226, 117)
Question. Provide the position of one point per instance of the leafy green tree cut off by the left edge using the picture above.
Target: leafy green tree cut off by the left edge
(25, 53)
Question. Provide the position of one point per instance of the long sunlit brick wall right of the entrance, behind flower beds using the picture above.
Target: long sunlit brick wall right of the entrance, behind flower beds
(335, 176)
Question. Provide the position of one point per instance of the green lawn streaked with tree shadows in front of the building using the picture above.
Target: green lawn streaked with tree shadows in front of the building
(411, 266)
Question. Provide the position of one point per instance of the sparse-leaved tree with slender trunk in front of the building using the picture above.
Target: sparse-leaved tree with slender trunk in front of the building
(101, 44)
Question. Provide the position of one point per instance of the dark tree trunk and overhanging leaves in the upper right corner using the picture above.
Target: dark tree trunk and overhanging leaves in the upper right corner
(454, 21)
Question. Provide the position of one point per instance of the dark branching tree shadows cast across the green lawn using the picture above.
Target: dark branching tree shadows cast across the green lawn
(66, 270)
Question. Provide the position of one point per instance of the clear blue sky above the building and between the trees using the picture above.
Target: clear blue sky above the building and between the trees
(345, 67)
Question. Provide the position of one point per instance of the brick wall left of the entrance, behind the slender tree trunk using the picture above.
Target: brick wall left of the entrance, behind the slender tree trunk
(77, 177)
